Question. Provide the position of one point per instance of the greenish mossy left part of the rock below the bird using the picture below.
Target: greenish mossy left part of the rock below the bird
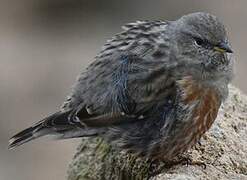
(95, 159)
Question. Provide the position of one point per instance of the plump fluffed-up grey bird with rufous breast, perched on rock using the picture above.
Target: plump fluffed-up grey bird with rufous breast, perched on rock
(153, 90)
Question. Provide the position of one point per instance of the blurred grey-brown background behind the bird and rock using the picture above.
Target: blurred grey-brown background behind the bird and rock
(44, 44)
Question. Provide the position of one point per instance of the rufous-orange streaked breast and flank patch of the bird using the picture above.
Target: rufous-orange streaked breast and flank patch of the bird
(201, 105)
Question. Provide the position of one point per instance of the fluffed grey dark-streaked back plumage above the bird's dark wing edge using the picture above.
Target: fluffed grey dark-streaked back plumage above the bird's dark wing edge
(137, 57)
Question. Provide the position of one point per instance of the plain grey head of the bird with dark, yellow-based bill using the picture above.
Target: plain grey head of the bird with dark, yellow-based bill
(199, 42)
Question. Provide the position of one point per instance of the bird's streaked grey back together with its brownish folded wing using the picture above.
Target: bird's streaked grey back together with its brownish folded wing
(128, 77)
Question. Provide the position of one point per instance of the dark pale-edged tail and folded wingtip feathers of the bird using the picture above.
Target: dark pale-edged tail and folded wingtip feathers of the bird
(68, 125)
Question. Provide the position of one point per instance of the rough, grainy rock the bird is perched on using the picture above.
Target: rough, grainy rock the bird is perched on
(223, 149)
